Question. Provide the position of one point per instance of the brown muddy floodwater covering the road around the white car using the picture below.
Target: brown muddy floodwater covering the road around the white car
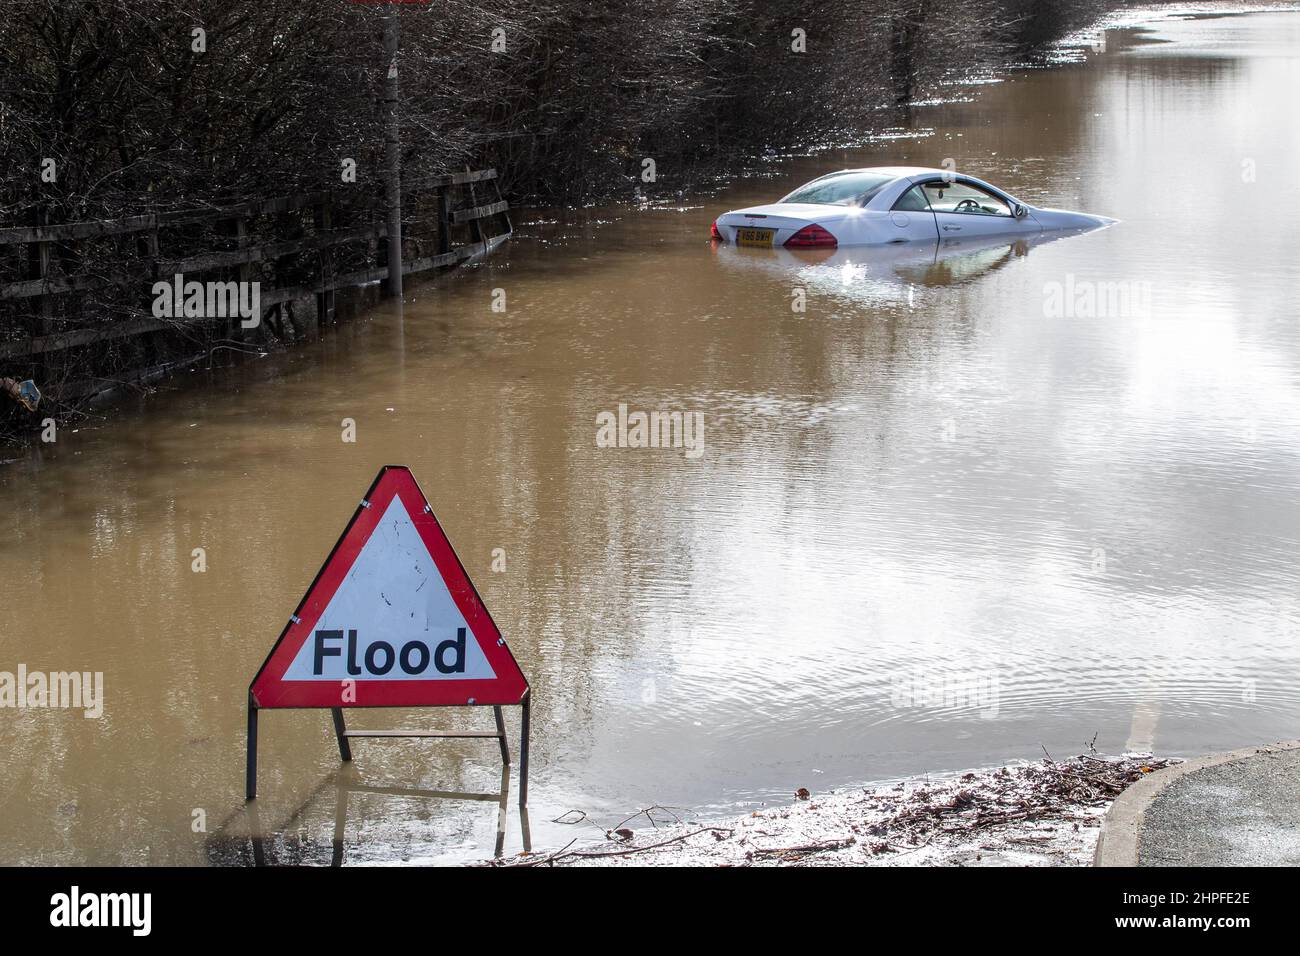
(938, 524)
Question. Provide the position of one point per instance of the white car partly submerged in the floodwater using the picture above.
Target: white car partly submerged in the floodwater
(886, 205)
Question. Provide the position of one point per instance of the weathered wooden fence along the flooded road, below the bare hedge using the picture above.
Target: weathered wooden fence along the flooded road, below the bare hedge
(310, 245)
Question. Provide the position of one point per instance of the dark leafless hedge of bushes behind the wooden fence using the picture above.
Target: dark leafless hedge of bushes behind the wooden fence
(565, 96)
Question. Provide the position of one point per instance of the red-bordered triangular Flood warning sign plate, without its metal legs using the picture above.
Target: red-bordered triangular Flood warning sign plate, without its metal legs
(392, 620)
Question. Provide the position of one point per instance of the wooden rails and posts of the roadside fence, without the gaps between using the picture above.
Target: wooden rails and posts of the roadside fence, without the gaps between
(49, 278)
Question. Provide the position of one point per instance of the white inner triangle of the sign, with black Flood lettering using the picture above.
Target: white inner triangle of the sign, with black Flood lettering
(393, 618)
